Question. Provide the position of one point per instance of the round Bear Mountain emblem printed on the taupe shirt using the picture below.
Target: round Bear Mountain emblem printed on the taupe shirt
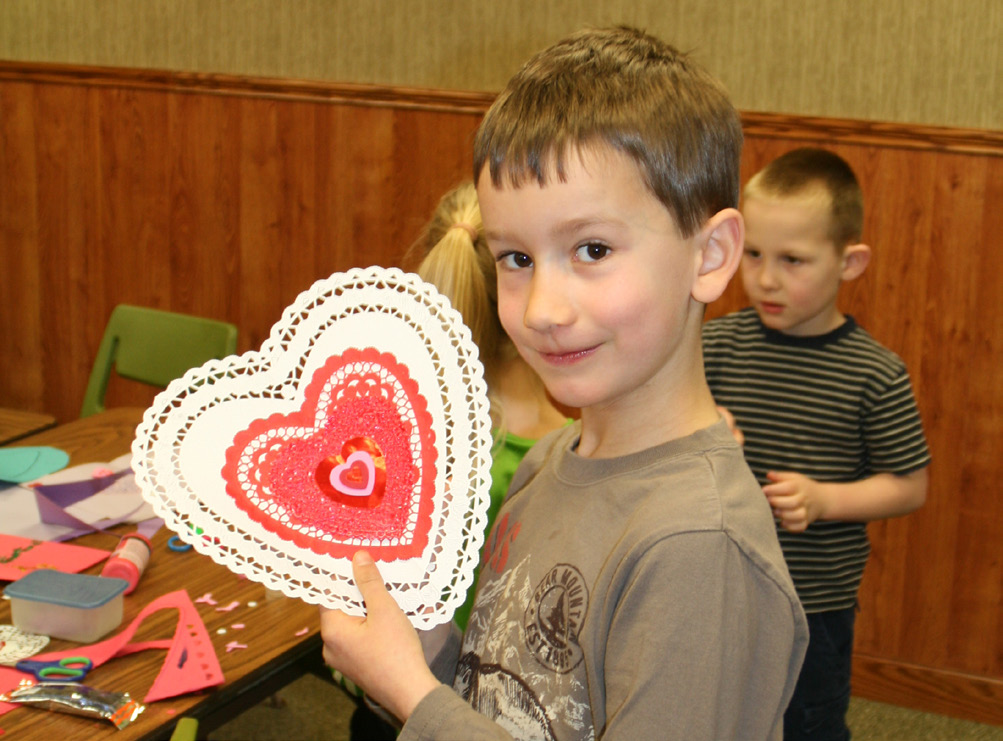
(554, 618)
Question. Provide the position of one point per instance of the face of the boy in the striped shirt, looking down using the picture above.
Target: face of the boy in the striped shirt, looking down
(791, 269)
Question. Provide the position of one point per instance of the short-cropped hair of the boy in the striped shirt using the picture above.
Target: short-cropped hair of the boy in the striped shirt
(799, 172)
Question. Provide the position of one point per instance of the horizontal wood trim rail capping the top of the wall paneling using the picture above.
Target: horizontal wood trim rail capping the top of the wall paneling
(772, 126)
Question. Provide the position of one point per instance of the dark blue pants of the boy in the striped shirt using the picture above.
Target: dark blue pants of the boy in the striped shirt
(818, 710)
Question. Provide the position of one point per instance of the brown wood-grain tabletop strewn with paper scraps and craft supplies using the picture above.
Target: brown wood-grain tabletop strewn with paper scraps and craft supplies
(275, 654)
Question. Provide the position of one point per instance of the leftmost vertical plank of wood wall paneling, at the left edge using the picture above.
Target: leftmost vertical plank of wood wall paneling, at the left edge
(21, 270)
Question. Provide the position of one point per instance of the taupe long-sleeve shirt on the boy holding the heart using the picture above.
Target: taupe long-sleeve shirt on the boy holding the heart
(639, 597)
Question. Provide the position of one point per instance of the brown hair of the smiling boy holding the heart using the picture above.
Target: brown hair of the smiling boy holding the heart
(622, 89)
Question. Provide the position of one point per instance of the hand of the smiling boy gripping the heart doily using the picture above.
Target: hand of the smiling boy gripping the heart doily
(382, 653)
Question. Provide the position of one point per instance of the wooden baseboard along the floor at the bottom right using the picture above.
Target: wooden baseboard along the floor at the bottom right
(928, 689)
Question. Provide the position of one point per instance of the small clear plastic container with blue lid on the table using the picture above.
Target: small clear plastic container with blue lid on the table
(75, 607)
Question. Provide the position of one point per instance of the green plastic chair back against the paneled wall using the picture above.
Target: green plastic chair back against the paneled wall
(154, 347)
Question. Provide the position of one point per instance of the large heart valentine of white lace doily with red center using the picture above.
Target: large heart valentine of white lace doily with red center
(363, 423)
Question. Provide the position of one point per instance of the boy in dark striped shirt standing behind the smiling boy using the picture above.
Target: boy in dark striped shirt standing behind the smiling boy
(831, 425)
